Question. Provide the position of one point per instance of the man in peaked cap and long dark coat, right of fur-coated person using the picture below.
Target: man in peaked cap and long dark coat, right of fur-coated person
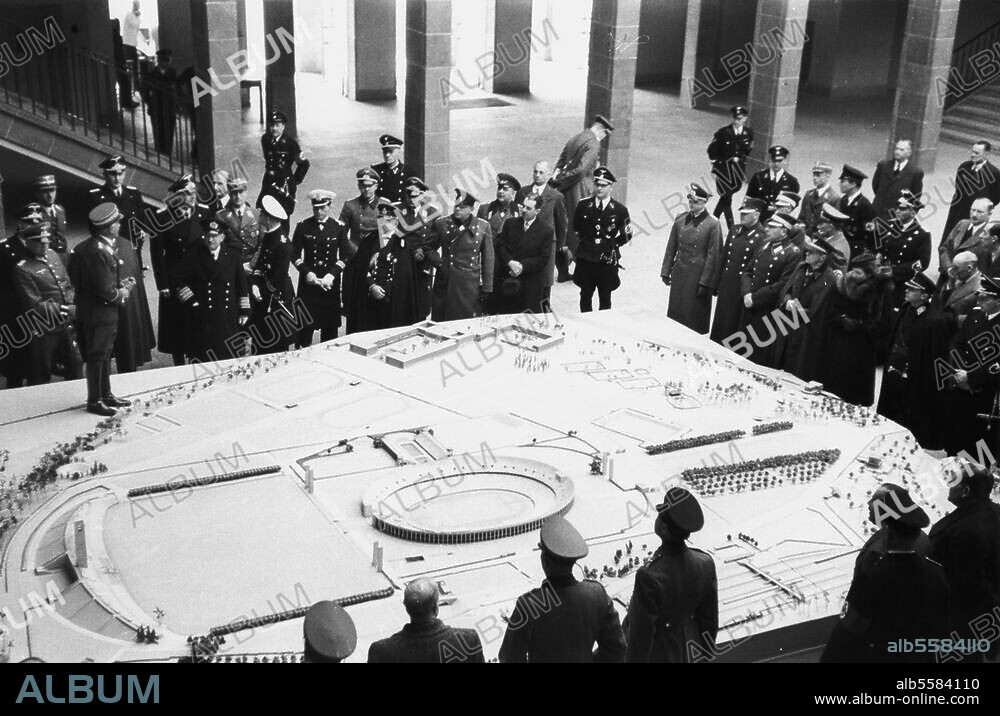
(920, 340)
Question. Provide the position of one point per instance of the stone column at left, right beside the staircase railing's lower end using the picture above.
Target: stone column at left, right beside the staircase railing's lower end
(218, 116)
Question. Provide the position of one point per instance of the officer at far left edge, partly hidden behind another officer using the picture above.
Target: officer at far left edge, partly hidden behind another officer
(13, 353)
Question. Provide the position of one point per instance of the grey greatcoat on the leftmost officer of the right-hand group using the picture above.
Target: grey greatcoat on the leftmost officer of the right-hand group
(691, 263)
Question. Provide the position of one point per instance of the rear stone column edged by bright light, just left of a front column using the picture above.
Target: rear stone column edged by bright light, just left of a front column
(372, 50)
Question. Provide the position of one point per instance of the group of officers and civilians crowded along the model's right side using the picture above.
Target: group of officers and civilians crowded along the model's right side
(829, 285)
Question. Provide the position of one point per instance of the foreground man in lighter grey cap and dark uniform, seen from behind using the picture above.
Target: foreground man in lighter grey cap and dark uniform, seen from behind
(562, 620)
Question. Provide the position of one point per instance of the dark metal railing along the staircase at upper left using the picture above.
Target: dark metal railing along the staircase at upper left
(80, 90)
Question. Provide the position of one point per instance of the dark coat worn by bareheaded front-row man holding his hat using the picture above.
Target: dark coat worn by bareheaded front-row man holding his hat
(533, 249)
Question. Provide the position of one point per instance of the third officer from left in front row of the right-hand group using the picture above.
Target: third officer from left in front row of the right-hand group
(762, 281)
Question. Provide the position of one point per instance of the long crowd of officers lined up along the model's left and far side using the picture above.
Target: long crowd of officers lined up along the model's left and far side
(221, 264)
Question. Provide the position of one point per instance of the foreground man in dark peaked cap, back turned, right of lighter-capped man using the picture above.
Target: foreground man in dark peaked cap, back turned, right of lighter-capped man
(673, 615)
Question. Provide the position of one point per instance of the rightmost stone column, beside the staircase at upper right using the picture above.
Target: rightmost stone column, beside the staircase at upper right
(928, 41)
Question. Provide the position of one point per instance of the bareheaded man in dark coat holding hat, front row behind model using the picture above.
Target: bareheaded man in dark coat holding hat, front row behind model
(524, 252)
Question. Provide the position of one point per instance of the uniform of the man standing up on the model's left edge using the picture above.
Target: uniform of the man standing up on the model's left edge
(95, 270)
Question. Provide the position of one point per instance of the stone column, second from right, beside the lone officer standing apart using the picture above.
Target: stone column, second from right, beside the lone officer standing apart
(778, 37)
